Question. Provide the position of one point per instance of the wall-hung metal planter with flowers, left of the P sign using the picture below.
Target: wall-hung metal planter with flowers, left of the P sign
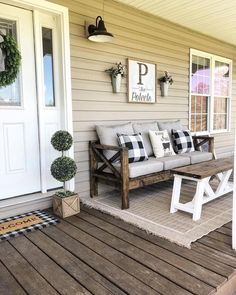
(117, 73)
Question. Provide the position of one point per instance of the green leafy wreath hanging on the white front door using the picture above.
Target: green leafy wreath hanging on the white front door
(12, 60)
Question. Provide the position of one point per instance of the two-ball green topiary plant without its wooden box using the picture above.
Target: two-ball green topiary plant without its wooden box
(63, 168)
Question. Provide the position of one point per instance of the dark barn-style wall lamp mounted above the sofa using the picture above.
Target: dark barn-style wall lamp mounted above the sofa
(99, 33)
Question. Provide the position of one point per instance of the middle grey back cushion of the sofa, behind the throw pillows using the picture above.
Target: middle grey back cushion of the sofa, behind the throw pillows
(144, 128)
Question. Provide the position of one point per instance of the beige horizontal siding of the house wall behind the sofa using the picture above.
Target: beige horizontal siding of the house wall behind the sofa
(139, 36)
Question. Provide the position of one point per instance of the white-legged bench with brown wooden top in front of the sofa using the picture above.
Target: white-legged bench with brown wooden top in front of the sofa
(201, 173)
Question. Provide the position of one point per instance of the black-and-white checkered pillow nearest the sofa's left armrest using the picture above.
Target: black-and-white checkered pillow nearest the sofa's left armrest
(135, 145)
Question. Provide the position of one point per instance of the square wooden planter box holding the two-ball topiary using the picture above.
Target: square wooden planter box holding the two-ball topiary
(65, 207)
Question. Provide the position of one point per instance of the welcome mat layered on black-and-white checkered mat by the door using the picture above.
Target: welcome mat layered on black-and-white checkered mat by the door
(14, 226)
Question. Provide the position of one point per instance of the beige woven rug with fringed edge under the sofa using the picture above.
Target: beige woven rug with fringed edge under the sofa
(149, 210)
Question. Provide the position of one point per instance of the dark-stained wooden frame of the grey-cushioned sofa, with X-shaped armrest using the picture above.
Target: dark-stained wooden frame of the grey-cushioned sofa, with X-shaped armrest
(120, 179)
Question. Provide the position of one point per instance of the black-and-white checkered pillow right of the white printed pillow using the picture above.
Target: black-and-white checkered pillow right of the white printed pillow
(183, 142)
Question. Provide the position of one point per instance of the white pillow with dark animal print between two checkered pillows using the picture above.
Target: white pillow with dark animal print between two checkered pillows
(161, 143)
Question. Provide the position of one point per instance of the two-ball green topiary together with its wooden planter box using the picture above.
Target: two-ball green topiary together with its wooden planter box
(63, 169)
